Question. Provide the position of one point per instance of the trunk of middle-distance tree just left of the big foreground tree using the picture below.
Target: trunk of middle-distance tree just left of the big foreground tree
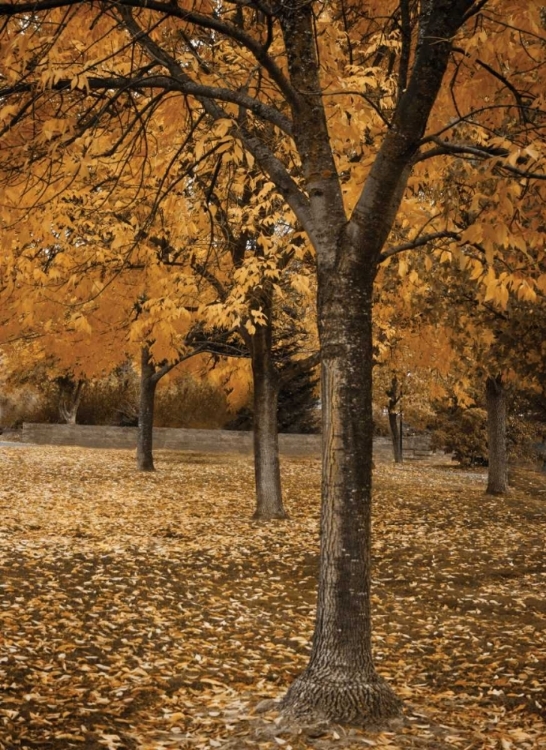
(267, 471)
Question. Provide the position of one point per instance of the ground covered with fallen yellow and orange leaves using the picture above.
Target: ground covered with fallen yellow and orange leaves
(146, 611)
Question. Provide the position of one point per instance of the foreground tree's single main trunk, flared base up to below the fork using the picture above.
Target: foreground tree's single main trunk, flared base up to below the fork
(340, 682)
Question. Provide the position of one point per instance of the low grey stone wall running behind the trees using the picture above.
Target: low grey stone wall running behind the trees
(202, 441)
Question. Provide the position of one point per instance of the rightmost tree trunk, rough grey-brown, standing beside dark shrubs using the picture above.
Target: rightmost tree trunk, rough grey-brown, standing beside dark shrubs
(497, 480)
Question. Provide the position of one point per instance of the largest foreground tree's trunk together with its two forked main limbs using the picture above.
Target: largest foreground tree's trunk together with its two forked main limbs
(340, 681)
